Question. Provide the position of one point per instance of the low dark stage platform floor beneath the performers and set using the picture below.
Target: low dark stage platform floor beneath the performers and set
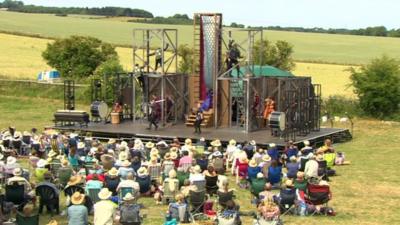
(128, 129)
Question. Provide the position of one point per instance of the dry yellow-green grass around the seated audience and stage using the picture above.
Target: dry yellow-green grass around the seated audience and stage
(366, 192)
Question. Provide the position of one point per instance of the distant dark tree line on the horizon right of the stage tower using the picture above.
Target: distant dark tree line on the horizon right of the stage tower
(379, 31)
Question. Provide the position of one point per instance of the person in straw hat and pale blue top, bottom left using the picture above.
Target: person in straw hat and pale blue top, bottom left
(77, 213)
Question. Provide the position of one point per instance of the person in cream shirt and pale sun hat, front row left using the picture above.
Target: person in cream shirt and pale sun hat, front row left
(104, 210)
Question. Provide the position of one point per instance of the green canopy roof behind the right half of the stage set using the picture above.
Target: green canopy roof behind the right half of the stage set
(263, 71)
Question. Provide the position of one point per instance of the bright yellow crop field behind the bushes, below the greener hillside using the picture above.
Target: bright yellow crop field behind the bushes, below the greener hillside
(20, 58)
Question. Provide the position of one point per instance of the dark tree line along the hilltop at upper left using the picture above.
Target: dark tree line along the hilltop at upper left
(18, 6)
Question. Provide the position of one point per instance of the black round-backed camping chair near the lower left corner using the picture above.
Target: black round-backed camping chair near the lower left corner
(48, 198)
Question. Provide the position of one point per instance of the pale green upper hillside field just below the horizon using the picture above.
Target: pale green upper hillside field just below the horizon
(343, 49)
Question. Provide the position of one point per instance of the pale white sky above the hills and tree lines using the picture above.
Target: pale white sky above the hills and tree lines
(349, 14)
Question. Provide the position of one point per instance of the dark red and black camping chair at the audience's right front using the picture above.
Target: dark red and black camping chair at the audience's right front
(318, 194)
